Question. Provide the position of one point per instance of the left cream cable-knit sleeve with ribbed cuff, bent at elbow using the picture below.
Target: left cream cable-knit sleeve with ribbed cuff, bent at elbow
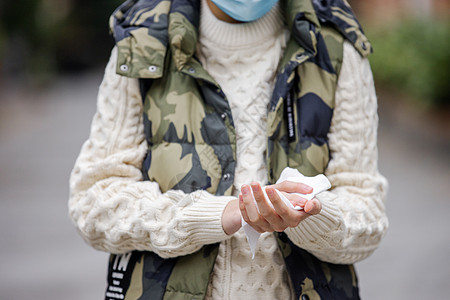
(114, 210)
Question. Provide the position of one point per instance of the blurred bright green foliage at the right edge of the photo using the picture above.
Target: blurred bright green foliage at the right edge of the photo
(414, 57)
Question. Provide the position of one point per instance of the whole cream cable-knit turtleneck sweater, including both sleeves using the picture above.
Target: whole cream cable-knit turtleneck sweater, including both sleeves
(115, 211)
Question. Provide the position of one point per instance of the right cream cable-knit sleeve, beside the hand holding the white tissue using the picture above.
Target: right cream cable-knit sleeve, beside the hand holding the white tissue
(353, 219)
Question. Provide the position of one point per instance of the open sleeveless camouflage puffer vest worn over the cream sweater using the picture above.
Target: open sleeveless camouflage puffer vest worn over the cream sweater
(191, 136)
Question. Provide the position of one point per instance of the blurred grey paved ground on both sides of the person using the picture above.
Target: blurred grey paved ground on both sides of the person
(43, 258)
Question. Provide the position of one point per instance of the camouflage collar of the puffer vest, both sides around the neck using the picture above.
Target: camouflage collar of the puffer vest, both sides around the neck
(145, 29)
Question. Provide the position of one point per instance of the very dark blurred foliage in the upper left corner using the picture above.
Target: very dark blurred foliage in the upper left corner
(40, 38)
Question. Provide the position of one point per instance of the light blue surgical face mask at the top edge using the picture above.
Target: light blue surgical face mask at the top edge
(245, 10)
